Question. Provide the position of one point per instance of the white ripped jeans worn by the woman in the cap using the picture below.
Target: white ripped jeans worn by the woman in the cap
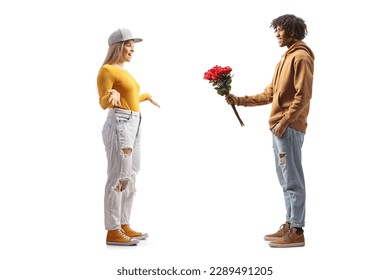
(120, 132)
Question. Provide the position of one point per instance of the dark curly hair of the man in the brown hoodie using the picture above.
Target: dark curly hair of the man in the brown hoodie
(295, 26)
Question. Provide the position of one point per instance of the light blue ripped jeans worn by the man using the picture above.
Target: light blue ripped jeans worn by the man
(288, 162)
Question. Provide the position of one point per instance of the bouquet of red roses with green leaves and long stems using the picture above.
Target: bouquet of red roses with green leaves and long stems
(221, 78)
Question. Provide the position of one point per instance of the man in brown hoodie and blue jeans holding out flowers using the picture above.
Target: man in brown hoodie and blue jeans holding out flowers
(289, 93)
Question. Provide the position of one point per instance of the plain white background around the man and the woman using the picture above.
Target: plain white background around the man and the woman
(207, 192)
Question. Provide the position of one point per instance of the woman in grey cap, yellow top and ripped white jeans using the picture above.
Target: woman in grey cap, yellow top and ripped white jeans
(119, 92)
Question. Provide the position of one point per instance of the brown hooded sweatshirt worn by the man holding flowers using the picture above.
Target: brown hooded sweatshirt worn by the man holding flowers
(290, 90)
